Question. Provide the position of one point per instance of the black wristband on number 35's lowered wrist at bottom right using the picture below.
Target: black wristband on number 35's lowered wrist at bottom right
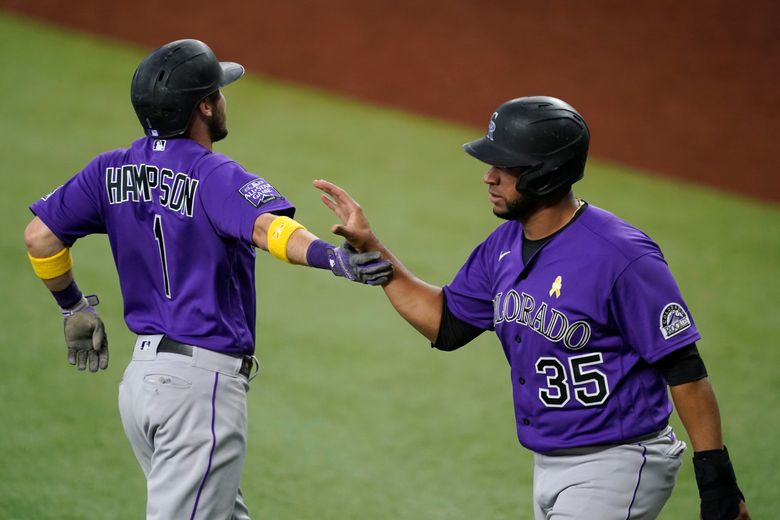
(718, 490)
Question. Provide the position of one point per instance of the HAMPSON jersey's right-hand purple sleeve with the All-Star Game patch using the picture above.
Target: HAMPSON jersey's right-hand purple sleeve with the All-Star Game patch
(233, 199)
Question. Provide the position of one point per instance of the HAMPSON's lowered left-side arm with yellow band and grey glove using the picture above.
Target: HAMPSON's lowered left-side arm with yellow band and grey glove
(85, 335)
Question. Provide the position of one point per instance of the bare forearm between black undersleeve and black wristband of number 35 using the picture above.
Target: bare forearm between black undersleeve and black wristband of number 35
(698, 409)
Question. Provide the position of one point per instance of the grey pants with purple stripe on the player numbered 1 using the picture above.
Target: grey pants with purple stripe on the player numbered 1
(185, 418)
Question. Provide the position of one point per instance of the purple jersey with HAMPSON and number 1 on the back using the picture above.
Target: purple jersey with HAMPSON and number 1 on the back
(180, 220)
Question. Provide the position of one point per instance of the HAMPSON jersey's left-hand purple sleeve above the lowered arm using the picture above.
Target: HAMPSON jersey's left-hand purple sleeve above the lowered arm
(73, 210)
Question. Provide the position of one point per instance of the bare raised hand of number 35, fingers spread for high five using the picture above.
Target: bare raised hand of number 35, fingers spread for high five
(354, 224)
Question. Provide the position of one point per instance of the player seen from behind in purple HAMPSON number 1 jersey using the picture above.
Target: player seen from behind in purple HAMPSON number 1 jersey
(183, 223)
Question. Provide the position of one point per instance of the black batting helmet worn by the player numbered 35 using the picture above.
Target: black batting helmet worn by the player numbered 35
(543, 135)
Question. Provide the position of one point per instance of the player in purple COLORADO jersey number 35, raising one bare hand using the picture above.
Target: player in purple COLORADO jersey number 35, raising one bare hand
(591, 321)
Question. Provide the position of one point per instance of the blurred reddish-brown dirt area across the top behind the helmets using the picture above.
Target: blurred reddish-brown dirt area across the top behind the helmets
(689, 89)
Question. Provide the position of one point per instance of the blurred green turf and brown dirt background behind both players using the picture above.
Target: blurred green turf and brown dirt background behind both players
(354, 416)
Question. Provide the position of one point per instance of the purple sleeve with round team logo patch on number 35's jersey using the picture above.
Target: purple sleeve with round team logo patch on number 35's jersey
(649, 310)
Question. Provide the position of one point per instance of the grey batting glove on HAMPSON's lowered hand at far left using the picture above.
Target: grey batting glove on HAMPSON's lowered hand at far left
(85, 335)
